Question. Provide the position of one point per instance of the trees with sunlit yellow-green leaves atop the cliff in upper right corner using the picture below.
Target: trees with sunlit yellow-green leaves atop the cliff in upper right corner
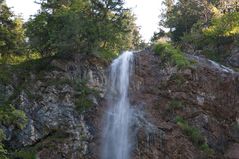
(204, 26)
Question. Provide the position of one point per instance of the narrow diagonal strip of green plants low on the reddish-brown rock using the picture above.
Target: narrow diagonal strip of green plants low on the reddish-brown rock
(195, 135)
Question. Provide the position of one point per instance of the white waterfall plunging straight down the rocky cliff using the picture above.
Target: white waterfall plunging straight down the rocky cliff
(116, 142)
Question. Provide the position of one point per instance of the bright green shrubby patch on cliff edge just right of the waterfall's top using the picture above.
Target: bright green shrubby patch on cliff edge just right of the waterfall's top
(173, 55)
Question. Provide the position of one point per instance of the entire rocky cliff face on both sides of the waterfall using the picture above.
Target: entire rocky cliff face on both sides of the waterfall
(205, 95)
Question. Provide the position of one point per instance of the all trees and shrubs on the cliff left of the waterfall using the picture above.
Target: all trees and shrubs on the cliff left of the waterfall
(61, 29)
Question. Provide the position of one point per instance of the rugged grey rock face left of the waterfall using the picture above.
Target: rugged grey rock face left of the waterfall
(56, 103)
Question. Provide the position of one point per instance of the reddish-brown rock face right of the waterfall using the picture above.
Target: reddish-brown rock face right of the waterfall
(206, 95)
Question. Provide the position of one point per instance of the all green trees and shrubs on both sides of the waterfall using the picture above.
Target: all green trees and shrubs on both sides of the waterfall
(102, 28)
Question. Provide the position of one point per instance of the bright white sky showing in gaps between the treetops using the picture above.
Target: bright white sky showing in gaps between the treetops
(146, 11)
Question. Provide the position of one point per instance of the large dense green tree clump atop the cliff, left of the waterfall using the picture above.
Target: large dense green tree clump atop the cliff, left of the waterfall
(82, 26)
